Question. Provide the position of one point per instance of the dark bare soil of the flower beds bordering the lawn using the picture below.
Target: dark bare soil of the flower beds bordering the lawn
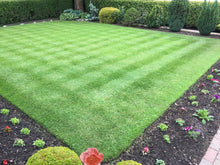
(183, 150)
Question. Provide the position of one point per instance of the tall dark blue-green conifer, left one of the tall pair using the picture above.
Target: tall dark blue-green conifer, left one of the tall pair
(177, 14)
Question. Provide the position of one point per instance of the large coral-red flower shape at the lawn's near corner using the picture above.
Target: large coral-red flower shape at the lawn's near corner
(91, 157)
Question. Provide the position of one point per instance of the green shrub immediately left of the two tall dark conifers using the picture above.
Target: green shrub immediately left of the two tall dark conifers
(154, 18)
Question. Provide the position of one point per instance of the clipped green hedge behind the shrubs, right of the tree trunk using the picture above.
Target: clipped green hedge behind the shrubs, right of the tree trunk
(146, 5)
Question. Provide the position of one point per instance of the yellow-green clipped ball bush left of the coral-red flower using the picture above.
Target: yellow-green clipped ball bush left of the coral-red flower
(54, 156)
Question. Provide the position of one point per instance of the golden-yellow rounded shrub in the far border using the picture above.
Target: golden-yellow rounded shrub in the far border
(106, 15)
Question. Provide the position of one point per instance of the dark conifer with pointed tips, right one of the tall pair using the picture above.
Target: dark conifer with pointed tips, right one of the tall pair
(208, 18)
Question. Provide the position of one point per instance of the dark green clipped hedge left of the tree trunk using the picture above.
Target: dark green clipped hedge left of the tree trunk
(12, 11)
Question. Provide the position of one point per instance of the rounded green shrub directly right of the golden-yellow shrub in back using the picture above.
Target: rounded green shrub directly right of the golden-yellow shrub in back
(131, 16)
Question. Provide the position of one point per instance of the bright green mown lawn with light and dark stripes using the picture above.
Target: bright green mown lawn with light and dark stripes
(98, 85)
